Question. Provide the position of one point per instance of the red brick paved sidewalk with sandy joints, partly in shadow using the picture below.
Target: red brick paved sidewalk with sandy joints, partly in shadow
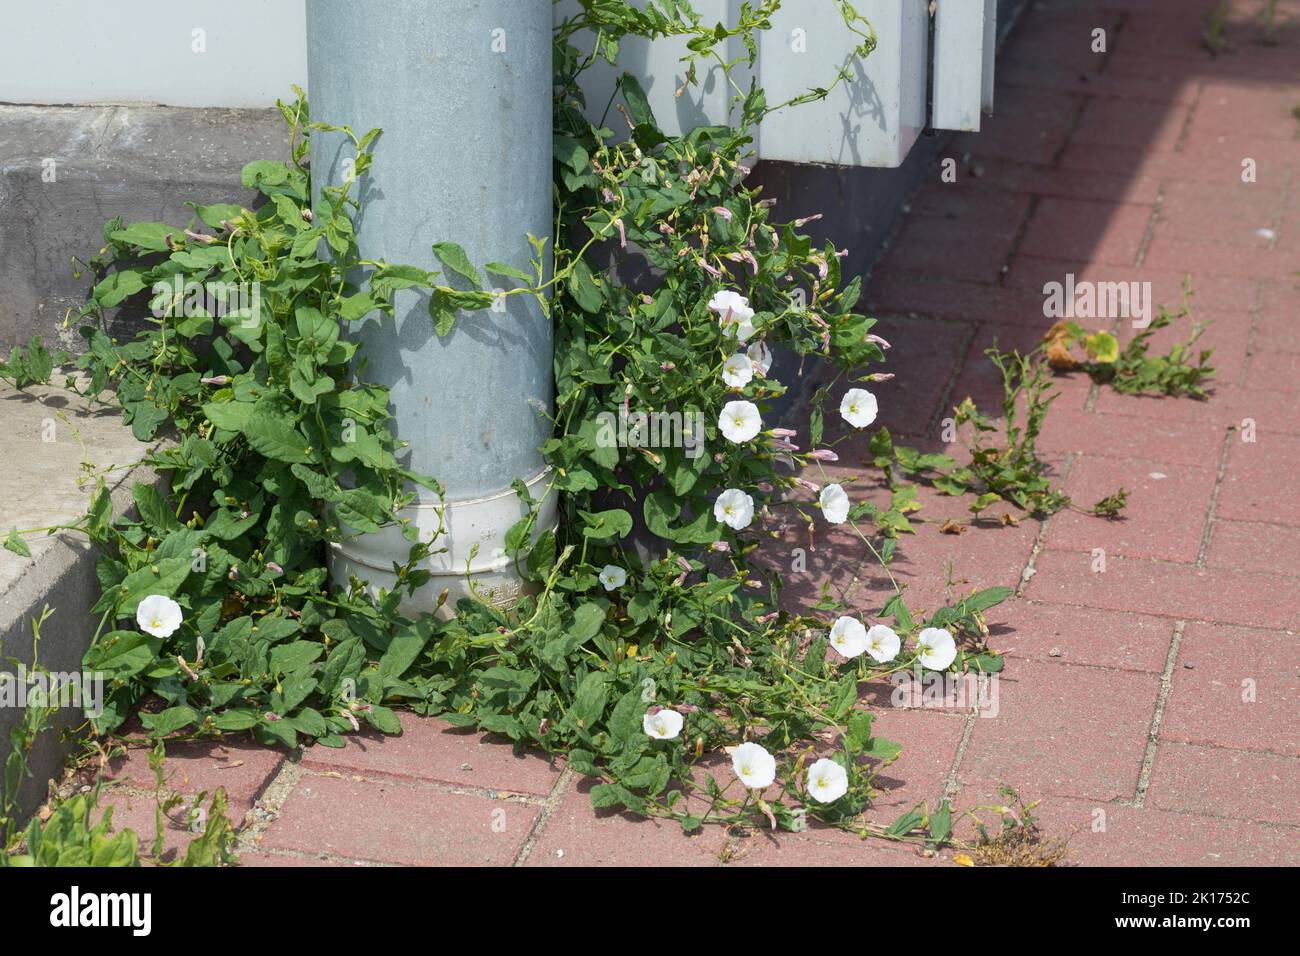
(1123, 704)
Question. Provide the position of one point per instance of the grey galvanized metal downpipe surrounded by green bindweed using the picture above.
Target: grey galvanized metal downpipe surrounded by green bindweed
(462, 90)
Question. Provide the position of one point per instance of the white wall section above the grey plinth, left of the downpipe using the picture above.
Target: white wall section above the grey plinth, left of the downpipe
(146, 51)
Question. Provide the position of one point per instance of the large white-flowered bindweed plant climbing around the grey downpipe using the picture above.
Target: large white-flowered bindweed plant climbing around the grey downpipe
(653, 646)
